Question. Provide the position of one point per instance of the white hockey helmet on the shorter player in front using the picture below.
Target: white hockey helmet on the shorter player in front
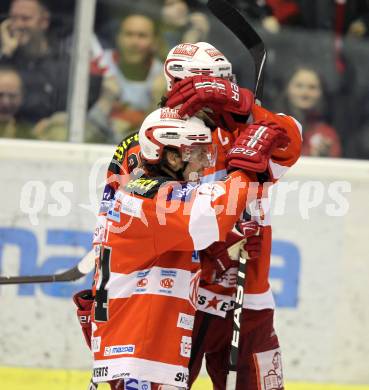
(164, 127)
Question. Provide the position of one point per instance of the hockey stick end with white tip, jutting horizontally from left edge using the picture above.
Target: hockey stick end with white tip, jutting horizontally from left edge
(85, 266)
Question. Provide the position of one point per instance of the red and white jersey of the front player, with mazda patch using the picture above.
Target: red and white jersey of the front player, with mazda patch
(146, 277)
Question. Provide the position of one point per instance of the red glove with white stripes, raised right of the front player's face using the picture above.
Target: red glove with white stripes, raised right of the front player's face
(253, 148)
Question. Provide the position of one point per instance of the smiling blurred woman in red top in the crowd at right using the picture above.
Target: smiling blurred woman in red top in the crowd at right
(303, 98)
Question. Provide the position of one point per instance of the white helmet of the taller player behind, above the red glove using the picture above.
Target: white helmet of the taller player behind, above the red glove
(187, 60)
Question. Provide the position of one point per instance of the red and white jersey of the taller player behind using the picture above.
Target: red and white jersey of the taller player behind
(217, 298)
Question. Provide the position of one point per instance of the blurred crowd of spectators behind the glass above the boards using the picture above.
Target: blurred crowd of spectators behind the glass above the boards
(318, 53)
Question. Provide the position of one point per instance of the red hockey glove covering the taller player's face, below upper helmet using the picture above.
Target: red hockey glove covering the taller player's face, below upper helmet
(197, 92)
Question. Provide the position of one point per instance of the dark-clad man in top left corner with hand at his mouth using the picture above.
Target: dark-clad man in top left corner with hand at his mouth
(26, 46)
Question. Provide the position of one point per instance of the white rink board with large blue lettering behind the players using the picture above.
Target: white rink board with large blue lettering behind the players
(320, 266)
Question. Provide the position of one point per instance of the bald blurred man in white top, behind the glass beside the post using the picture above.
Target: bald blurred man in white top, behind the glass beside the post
(136, 73)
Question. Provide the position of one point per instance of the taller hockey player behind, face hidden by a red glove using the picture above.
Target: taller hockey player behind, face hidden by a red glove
(195, 83)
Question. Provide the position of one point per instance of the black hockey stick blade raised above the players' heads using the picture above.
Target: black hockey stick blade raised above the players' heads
(241, 28)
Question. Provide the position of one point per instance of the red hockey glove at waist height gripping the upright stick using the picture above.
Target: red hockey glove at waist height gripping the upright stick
(222, 255)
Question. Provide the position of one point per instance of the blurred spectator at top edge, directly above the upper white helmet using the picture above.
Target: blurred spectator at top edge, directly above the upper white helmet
(179, 24)
